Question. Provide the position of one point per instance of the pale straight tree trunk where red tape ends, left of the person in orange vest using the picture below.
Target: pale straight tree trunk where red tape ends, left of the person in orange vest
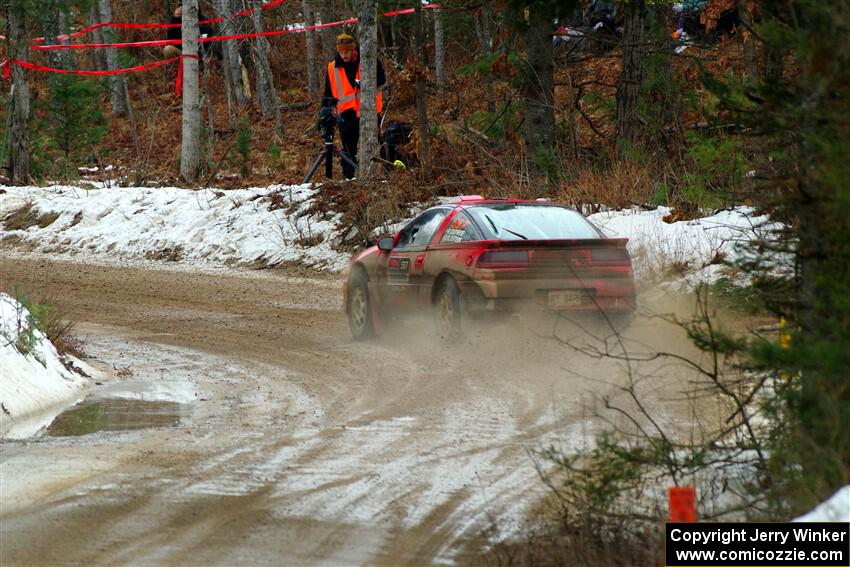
(190, 154)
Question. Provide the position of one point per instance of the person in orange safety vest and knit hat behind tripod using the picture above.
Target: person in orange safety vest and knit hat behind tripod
(342, 88)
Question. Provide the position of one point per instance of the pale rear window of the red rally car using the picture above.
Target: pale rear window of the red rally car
(511, 221)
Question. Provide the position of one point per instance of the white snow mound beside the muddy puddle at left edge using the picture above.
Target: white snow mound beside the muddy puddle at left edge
(32, 385)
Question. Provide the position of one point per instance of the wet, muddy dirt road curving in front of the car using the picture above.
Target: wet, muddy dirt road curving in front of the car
(300, 447)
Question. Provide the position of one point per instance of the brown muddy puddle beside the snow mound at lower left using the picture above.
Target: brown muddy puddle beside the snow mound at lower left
(117, 414)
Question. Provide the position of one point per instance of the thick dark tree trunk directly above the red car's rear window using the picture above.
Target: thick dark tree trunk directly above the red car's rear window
(539, 83)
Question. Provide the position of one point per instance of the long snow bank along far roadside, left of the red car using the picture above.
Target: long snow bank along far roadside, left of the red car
(253, 226)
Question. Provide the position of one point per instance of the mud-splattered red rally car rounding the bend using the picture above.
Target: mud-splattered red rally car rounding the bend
(483, 255)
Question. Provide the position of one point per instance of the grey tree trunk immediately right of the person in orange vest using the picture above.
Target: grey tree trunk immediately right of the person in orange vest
(369, 90)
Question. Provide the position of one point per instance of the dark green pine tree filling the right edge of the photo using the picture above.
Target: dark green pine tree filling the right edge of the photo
(798, 121)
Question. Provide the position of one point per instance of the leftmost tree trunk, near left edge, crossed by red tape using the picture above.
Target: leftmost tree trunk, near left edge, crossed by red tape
(18, 38)
